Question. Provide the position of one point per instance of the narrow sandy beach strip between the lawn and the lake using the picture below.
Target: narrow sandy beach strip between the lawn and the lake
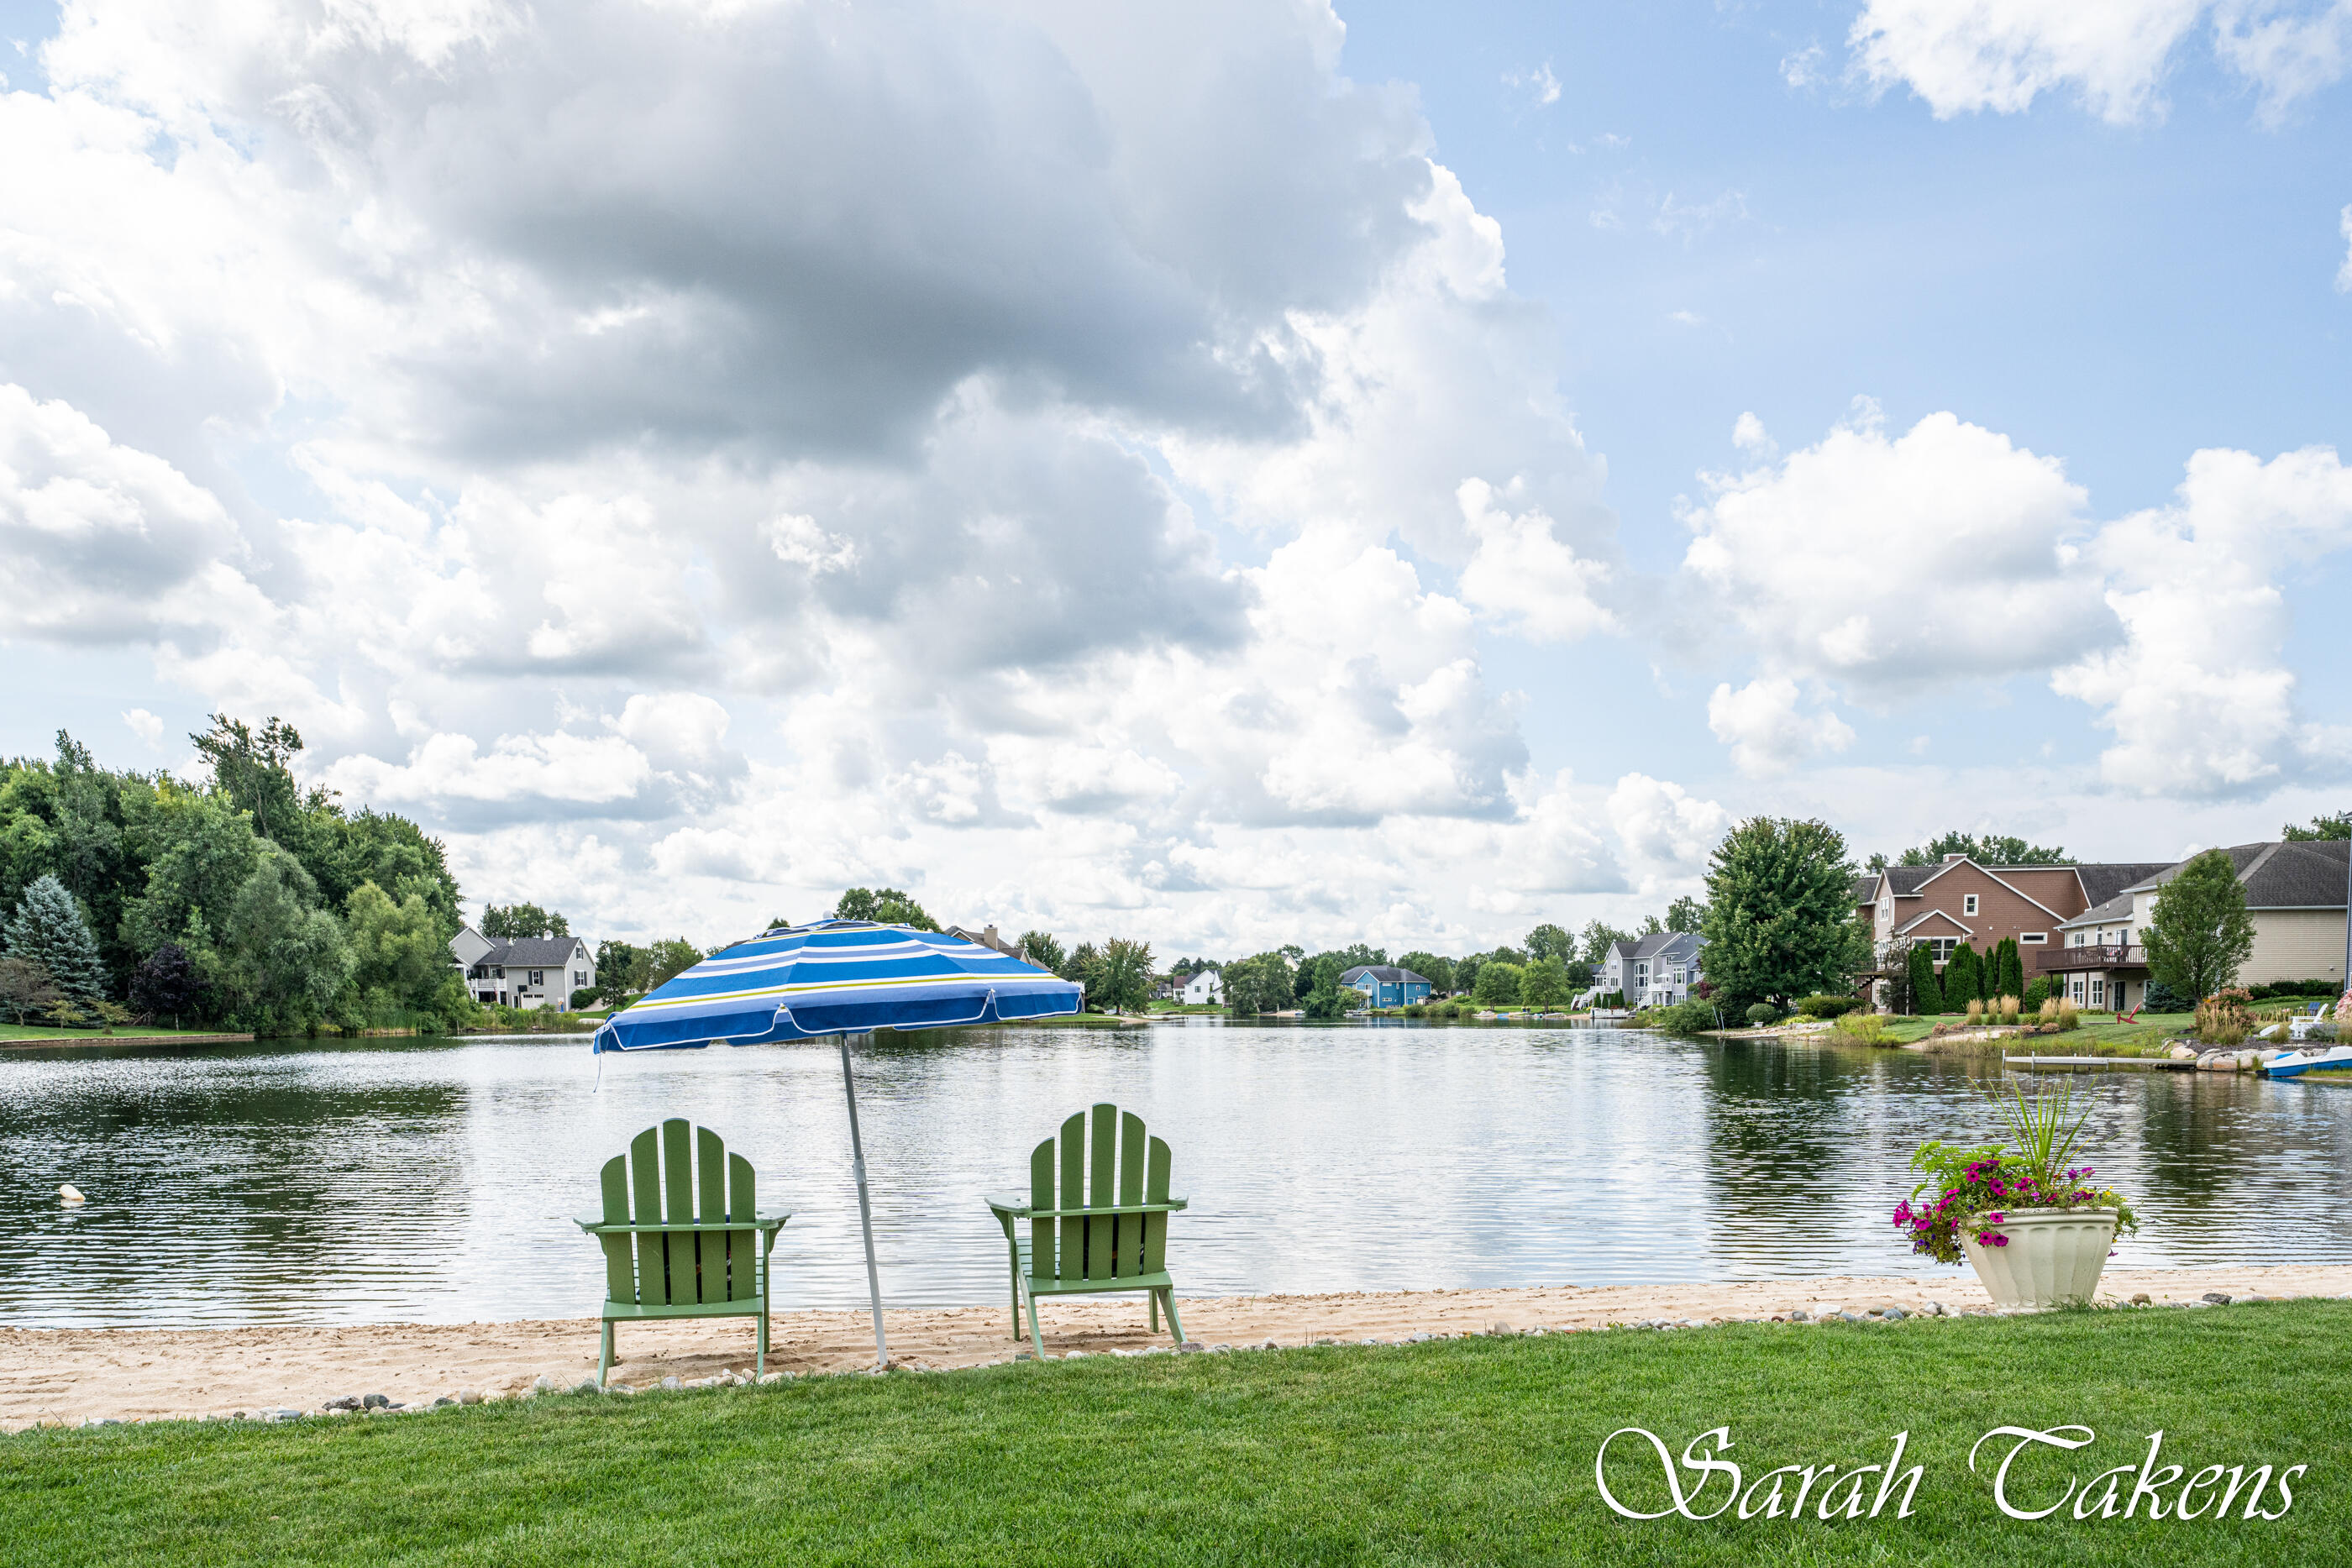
(145, 1374)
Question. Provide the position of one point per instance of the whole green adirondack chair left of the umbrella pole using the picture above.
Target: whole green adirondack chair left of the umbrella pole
(683, 1235)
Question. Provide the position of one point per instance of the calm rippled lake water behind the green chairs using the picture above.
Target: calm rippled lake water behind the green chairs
(436, 1181)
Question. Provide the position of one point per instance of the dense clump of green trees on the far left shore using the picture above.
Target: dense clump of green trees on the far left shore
(246, 902)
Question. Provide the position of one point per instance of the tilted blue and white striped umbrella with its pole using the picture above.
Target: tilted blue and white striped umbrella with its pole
(841, 979)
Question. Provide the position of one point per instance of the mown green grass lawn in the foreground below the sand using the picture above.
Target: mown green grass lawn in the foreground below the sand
(1457, 1452)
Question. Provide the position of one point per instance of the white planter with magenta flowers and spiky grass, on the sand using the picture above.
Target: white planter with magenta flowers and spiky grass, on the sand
(2033, 1226)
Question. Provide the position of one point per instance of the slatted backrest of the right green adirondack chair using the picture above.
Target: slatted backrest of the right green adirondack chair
(1114, 1162)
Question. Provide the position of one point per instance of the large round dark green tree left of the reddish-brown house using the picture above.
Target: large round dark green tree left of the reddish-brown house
(1782, 916)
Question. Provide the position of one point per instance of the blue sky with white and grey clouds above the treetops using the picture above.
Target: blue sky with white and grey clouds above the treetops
(1224, 471)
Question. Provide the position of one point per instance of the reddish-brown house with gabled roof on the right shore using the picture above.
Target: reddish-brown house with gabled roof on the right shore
(1963, 902)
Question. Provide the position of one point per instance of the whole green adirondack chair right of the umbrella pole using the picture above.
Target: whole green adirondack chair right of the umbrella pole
(1097, 1219)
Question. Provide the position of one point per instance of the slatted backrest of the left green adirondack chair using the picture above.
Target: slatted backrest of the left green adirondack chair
(681, 1174)
